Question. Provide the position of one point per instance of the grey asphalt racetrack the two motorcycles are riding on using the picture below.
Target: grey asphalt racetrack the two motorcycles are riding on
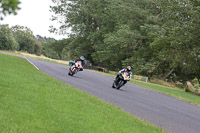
(168, 113)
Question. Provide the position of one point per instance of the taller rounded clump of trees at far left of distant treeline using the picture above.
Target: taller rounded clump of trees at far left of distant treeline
(19, 38)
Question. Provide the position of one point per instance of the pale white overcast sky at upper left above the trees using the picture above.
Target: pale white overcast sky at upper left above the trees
(35, 15)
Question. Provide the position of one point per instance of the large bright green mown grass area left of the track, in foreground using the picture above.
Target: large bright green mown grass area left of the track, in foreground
(33, 102)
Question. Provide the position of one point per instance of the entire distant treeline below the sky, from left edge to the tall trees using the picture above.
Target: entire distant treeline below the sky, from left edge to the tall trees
(21, 38)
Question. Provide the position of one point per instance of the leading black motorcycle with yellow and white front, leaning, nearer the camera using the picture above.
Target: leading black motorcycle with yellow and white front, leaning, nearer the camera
(122, 79)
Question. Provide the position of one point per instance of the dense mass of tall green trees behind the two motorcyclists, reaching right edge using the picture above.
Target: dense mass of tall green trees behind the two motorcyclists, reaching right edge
(159, 38)
